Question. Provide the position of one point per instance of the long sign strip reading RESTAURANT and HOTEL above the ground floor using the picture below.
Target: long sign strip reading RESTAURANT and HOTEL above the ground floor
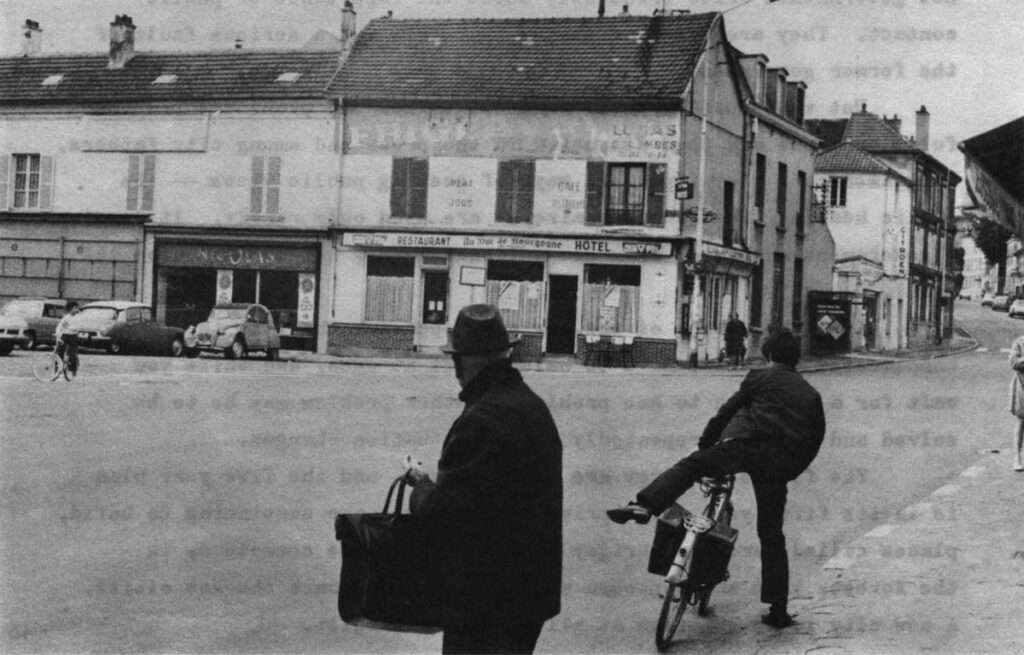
(582, 245)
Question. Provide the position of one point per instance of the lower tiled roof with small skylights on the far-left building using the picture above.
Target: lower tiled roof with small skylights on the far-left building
(241, 75)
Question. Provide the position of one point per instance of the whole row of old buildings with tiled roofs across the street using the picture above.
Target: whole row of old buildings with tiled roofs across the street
(582, 174)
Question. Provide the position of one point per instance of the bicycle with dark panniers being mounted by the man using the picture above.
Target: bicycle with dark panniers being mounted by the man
(693, 552)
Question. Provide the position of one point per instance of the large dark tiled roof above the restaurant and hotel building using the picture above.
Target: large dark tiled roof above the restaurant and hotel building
(625, 61)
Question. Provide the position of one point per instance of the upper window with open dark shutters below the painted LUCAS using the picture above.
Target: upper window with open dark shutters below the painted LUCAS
(626, 194)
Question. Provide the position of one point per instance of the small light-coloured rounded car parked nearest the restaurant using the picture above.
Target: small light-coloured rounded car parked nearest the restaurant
(236, 330)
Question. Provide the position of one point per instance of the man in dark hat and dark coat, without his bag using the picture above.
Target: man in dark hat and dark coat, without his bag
(498, 499)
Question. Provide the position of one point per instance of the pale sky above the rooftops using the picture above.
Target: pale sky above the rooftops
(964, 60)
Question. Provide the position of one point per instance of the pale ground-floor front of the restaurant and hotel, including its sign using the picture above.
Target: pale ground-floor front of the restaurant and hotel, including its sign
(400, 292)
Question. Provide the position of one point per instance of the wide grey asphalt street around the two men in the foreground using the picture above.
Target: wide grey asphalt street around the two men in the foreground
(187, 506)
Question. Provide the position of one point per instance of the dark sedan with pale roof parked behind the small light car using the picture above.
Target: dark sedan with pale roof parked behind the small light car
(122, 327)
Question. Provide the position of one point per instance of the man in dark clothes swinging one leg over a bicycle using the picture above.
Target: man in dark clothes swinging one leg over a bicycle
(771, 429)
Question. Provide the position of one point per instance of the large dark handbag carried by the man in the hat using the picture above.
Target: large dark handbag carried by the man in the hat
(389, 578)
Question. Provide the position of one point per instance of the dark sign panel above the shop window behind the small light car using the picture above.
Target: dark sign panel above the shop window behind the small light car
(252, 257)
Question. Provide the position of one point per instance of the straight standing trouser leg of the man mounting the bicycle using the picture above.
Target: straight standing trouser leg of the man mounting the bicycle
(771, 497)
